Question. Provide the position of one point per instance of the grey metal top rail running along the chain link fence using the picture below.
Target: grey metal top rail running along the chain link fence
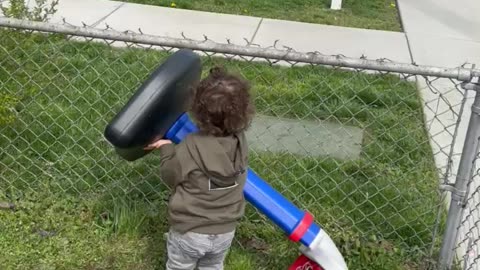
(273, 53)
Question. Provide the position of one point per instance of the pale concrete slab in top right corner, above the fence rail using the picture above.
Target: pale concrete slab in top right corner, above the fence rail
(442, 32)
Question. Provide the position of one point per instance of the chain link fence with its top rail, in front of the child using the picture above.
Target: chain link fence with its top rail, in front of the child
(364, 145)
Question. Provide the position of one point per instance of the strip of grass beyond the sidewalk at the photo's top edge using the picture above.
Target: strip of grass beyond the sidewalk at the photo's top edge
(369, 14)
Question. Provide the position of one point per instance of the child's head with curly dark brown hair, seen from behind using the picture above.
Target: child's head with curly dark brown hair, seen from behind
(221, 104)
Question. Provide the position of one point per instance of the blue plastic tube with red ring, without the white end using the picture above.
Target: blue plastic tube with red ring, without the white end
(297, 224)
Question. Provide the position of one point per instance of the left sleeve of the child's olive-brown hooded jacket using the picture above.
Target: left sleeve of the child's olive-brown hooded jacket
(170, 168)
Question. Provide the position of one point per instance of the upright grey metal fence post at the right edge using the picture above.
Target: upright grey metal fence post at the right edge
(459, 189)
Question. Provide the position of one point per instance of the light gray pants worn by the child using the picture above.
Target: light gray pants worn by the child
(191, 250)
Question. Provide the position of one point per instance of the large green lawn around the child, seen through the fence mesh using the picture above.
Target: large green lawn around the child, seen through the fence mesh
(109, 214)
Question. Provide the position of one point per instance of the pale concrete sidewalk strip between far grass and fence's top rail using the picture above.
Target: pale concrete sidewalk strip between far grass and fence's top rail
(172, 22)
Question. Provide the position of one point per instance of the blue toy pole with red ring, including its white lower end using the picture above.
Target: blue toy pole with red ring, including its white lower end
(297, 224)
